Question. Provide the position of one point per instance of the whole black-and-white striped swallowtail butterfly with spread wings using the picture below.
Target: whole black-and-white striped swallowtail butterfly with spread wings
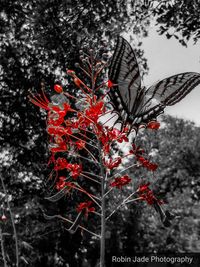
(134, 105)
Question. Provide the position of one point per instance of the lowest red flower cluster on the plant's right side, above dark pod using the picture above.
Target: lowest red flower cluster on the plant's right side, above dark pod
(147, 194)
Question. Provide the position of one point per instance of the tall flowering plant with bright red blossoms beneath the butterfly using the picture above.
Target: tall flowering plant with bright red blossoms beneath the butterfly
(80, 130)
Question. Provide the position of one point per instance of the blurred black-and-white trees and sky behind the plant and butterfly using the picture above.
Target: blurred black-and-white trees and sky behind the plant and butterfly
(38, 41)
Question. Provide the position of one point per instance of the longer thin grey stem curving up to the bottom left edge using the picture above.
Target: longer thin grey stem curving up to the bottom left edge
(12, 221)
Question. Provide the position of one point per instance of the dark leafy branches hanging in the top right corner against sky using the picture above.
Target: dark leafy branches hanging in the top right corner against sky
(179, 19)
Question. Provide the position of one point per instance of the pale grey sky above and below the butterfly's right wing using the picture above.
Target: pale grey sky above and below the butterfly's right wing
(167, 57)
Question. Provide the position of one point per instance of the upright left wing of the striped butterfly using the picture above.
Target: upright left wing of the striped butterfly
(127, 95)
